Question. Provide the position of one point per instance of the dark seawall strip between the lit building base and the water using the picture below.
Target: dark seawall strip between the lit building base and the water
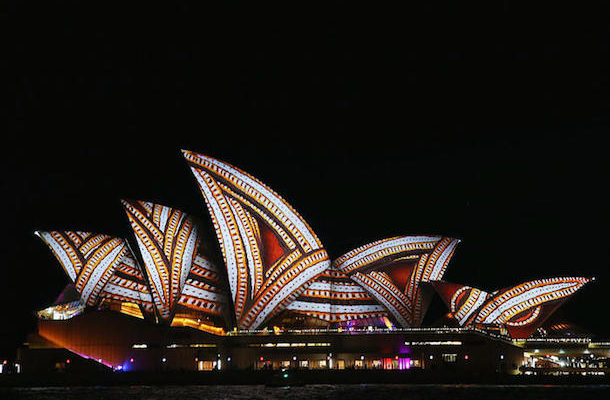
(291, 378)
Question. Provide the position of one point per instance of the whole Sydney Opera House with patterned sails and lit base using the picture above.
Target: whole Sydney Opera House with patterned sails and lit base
(264, 294)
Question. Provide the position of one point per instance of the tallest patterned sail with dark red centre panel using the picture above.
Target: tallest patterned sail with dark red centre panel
(270, 252)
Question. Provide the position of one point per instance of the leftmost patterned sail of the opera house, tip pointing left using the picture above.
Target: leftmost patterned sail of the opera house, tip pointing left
(101, 266)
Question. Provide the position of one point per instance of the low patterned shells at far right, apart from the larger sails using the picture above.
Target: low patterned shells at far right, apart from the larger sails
(521, 308)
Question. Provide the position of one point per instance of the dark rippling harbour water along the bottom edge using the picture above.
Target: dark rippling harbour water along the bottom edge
(338, 392)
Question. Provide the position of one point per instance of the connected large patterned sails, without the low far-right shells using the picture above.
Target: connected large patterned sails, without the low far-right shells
(274, 261)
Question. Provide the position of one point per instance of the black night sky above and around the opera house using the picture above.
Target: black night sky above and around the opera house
(487, 125)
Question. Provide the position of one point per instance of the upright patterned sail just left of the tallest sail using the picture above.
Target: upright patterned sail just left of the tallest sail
(167, 239)
